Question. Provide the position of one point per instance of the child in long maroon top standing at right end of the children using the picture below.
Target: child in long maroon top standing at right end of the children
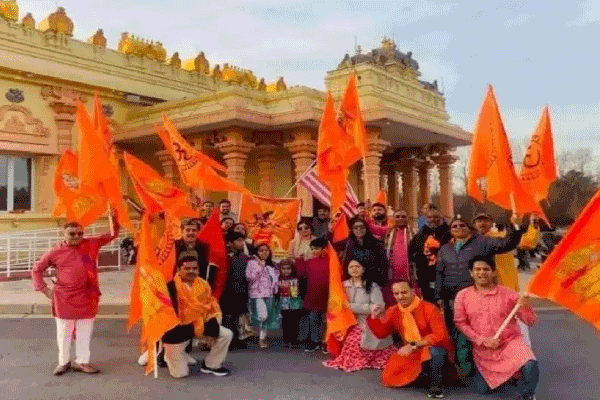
(316, 273)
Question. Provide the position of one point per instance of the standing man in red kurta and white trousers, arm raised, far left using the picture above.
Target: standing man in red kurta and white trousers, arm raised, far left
(75, 294)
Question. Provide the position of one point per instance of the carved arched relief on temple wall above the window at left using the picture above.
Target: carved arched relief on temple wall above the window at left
(17, 124)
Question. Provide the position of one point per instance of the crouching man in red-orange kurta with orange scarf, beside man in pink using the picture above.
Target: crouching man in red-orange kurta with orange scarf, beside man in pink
(422, 328)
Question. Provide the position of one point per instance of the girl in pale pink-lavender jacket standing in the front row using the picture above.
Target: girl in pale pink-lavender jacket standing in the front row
(262, 281)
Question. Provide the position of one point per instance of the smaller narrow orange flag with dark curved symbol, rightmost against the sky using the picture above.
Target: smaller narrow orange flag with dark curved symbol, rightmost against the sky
(539, 165)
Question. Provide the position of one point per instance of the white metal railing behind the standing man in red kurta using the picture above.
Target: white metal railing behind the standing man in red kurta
(20, 251)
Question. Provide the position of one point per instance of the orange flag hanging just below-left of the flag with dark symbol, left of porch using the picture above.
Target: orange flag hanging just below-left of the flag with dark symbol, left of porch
(156, 192)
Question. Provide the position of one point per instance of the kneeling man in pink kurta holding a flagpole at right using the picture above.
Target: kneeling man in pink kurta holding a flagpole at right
(506, 363)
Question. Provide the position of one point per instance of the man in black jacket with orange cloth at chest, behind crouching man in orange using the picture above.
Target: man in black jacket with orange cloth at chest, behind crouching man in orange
(439, 230)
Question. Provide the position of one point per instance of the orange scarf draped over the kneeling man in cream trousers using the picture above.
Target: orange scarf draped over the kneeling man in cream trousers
(196, 303)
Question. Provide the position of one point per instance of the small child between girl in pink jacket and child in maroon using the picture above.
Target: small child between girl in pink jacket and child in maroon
(290, 302)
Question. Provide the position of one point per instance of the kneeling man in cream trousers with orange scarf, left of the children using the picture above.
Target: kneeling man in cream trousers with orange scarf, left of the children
(199, 316)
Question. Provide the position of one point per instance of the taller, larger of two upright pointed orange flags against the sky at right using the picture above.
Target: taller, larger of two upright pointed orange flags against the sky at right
(491, 159)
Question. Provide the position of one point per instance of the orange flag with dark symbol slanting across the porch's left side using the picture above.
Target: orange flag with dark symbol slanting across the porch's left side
(196, 169)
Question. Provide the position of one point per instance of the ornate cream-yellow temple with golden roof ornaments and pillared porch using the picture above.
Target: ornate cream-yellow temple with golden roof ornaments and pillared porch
(264, 132)
